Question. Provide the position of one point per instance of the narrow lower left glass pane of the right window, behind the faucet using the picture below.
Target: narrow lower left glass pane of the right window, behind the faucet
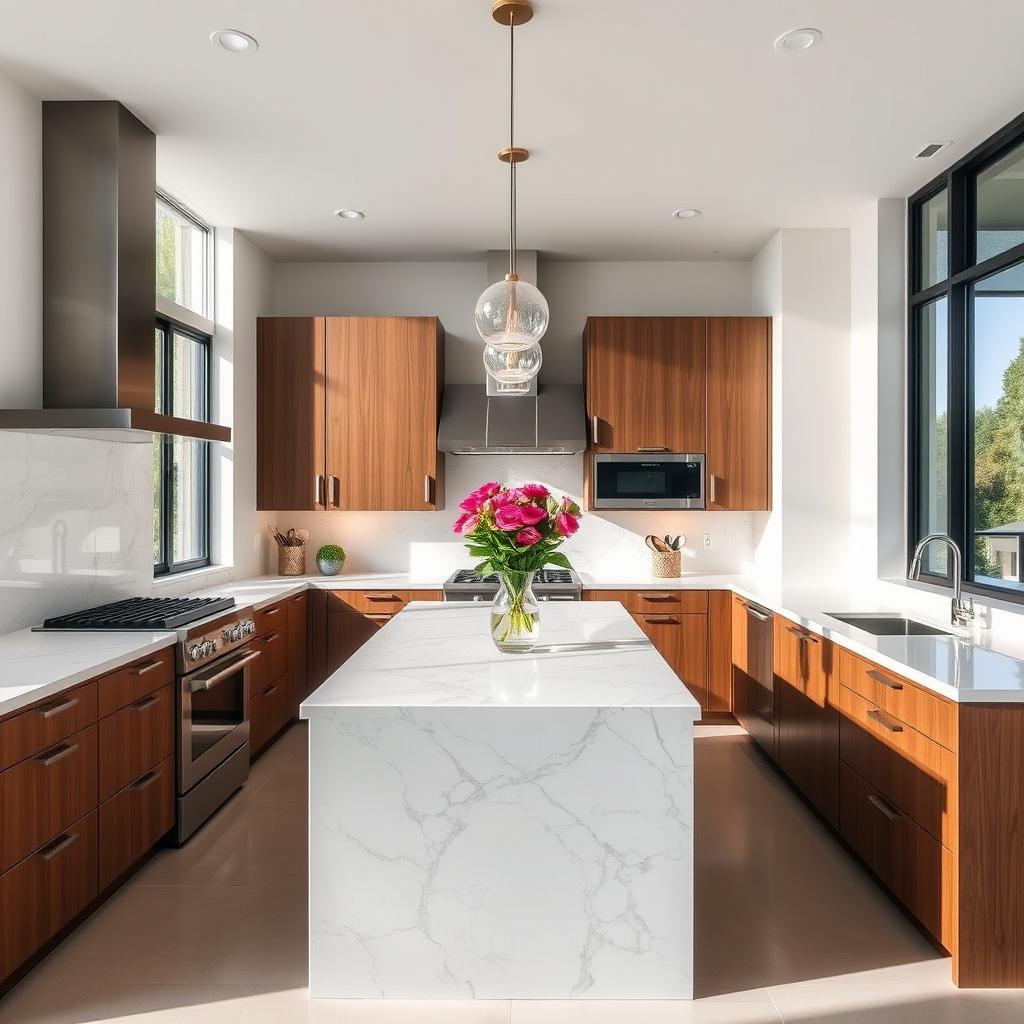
(933, 430)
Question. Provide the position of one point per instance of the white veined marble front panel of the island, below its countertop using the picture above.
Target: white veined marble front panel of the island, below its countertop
(501, 854)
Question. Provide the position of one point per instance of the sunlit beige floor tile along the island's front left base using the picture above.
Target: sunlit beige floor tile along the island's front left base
(296, 1008)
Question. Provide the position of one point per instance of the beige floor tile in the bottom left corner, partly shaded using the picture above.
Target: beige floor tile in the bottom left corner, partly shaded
(122, 1004)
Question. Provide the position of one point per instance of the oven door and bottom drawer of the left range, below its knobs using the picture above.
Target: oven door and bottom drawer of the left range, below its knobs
(214, 737)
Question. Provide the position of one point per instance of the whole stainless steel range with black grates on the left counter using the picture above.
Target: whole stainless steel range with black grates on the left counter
(212, 658)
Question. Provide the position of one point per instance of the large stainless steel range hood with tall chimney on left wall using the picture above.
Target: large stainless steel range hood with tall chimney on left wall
(100, 280)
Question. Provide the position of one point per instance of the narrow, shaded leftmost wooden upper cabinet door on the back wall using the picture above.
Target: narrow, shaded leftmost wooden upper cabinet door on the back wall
(290, 413)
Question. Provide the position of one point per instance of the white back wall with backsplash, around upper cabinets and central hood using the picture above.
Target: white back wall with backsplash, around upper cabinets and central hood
(395, 542)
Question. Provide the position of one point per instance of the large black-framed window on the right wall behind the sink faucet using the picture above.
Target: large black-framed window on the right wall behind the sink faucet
(966, 366)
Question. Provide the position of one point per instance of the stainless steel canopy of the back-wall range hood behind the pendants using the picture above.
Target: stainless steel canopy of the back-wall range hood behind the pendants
(549, 421)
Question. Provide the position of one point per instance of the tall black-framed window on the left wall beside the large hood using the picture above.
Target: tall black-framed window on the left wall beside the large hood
(182, 465)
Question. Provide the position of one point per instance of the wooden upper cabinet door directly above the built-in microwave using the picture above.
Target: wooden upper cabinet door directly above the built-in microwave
(646, 382)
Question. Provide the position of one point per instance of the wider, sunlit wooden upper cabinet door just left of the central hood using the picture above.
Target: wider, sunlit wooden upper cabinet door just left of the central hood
(385, 379)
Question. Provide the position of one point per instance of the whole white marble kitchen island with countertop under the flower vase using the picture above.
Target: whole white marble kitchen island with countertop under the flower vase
(485, 826)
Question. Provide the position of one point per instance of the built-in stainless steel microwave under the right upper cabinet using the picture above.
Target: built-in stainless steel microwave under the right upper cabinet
(649, 481)
